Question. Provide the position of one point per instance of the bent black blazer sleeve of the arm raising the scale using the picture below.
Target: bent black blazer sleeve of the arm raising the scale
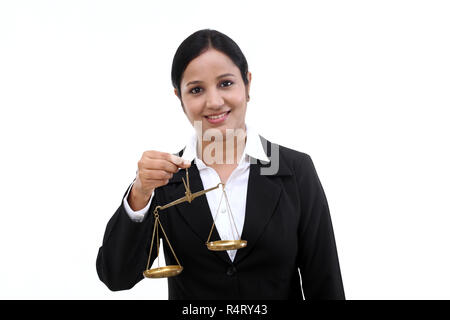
(123, 256)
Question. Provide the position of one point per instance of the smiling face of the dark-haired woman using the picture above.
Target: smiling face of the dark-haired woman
(213, 92)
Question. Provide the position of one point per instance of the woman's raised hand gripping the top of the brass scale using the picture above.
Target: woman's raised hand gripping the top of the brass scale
(155, 168)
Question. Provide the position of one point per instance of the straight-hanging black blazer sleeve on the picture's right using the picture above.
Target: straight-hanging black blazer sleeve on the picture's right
(317, 257)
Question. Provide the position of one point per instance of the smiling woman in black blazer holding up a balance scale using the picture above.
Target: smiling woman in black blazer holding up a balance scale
(277, 202)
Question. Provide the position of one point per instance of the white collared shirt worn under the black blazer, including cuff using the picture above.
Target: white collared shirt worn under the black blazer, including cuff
(235, 188)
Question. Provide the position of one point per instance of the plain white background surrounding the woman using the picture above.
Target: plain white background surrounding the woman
(361, 86)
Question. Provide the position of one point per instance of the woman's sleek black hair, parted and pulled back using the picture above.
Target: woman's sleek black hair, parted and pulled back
(199, 42)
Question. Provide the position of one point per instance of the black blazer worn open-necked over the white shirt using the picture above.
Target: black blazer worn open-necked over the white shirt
(287, 227)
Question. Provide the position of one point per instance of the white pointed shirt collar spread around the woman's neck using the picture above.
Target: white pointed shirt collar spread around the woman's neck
(253, 148)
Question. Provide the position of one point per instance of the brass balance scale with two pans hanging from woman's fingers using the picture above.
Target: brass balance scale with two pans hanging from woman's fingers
(220, 245)
